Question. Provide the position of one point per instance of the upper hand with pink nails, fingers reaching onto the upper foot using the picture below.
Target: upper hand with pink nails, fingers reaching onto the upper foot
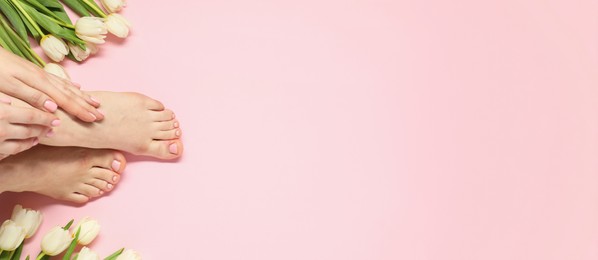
(22, 79)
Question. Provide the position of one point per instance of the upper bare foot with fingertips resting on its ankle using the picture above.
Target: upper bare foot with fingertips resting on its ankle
(133, 123)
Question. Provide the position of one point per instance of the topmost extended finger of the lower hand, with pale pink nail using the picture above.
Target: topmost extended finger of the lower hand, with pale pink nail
(26, 115)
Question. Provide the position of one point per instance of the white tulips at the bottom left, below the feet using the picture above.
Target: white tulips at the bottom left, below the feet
(25, 222)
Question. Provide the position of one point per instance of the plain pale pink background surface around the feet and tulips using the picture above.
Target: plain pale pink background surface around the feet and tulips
(366, 129)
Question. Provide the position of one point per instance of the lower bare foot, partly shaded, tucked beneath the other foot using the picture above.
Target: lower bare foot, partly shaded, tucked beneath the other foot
(65, 173)
